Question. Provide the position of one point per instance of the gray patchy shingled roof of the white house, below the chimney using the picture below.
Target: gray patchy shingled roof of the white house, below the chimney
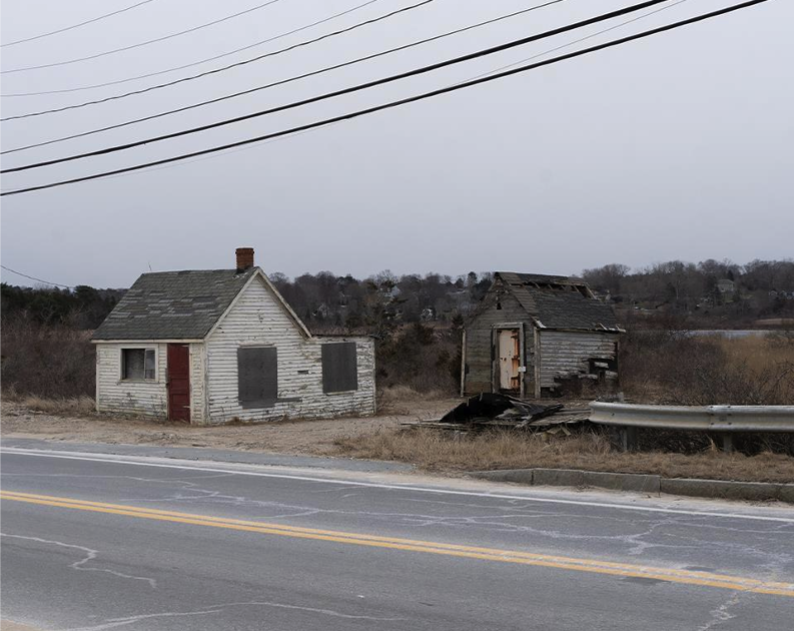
(173, 305)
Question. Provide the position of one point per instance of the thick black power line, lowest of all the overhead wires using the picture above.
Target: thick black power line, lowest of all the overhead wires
(377, 108)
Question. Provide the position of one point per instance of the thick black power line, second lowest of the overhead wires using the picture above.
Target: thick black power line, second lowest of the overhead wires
(362, 86)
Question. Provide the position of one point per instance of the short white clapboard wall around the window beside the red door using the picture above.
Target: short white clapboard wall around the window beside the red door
(115, 395)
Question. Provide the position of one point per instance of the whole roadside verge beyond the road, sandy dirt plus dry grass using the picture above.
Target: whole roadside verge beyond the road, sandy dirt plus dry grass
(385, 438)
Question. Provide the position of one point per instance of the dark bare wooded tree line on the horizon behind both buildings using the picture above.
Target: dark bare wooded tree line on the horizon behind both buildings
(386, 301)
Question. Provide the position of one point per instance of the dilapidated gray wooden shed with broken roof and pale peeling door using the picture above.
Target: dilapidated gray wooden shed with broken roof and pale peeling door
(537, 335)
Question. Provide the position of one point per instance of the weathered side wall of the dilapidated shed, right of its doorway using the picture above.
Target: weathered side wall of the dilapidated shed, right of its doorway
(568, 353)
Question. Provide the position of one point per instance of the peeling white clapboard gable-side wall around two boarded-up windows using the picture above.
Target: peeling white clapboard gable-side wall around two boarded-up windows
(258, 319)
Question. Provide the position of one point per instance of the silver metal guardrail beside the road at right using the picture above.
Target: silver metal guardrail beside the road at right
(717, 418)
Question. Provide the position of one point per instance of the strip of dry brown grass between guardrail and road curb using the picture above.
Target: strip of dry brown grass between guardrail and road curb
(434, 450)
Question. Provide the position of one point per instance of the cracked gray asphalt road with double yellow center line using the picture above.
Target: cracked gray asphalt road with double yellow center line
(99, 542)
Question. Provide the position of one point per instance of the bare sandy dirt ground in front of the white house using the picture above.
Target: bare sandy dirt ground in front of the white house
(293, 437)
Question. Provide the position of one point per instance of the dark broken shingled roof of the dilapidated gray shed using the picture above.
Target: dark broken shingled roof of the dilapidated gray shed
(558, 302)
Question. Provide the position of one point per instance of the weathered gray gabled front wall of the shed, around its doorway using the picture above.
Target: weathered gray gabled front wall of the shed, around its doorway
(479, 340)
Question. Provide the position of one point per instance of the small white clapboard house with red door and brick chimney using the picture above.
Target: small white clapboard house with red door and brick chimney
(212, 346)
